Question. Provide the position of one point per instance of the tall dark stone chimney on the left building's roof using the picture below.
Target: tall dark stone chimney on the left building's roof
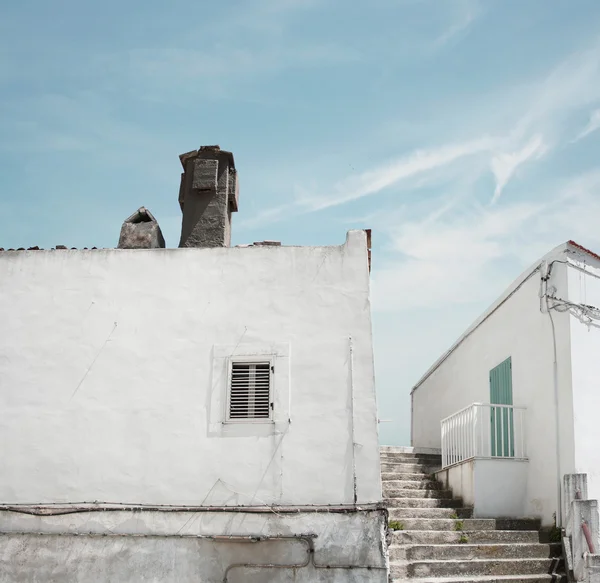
(208, 194)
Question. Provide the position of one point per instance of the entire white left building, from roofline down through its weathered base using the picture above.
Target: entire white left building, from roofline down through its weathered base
(191, 414)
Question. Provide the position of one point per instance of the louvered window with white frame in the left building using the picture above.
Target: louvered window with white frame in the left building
(250, 391)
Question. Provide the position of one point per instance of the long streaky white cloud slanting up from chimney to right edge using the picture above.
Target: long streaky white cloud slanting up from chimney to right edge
(540, 125)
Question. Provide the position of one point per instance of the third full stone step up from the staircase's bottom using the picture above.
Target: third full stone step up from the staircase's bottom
(432, 537)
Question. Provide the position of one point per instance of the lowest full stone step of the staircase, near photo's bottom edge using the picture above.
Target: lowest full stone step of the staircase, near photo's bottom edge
(477, 567)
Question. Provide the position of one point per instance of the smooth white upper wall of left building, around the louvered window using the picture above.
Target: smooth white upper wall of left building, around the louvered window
(112, 379)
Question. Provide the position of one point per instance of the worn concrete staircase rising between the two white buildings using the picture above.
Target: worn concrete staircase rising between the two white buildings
(438, 541)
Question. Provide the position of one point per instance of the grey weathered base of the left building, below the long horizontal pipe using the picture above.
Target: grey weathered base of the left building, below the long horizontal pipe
(170, 547)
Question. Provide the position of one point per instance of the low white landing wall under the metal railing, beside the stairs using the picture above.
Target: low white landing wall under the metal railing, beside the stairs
(493, 488)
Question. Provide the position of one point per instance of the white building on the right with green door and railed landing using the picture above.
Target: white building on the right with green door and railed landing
(514, 403)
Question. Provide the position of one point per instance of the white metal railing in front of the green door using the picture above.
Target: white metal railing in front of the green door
(484, 431)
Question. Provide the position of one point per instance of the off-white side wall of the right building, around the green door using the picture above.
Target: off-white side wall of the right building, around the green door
(514, 326)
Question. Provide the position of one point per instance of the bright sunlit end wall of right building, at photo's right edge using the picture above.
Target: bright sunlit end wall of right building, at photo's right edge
(584, 288)
